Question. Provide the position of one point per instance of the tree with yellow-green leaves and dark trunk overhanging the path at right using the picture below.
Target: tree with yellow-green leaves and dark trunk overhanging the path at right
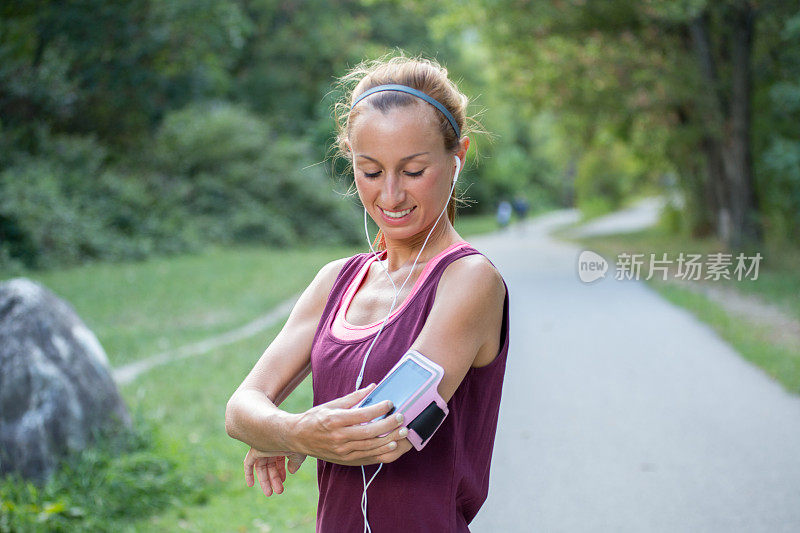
(682, 68)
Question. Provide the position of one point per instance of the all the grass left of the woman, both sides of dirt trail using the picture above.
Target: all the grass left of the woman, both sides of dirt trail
(138, 308)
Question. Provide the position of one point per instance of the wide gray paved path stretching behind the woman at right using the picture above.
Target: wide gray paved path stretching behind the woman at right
(622, 412)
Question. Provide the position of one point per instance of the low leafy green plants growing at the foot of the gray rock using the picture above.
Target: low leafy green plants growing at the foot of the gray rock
(123, 477)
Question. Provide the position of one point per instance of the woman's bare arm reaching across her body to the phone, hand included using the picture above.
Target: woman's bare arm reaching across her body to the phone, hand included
(333, 431)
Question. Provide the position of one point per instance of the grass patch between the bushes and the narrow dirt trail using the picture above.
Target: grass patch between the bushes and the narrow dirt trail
(137, 309)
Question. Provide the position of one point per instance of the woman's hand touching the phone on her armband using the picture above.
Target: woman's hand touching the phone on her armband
(338, 433)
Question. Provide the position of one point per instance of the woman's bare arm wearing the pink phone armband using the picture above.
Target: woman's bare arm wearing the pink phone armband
(464, 321)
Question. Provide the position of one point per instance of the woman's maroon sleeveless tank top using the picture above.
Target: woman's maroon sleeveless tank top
(440, 488)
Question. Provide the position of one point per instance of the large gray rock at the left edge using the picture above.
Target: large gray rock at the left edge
(56, 389)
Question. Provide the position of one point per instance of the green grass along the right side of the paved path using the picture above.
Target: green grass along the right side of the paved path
(778, 283)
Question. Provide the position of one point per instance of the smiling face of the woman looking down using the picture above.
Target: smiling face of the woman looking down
(402, 171)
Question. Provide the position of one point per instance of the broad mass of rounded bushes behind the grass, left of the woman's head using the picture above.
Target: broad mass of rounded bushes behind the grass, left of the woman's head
(218, 175)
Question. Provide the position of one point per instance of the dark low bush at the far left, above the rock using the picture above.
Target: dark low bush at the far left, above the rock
(50, 216)
